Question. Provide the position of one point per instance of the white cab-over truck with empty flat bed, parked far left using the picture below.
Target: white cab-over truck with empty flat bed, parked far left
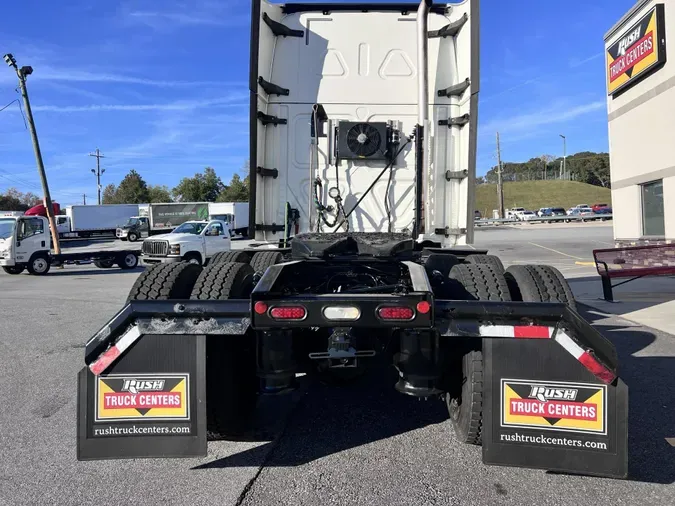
(25, 244)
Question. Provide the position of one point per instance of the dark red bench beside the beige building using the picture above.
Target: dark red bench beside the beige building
(633, 262)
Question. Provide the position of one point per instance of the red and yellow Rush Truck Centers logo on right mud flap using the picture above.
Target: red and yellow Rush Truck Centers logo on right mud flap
(570, 407)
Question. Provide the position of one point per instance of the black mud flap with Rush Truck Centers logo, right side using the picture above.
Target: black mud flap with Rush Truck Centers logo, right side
(550, 412)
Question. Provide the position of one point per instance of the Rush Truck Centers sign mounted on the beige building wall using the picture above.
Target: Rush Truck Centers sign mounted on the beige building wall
(638, 49)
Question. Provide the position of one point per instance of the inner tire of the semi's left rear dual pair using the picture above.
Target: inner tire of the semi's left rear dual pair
(231, 381)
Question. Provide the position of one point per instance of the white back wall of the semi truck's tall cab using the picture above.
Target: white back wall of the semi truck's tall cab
(350, 133)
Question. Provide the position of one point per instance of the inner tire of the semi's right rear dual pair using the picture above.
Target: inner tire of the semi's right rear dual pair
(465, 399)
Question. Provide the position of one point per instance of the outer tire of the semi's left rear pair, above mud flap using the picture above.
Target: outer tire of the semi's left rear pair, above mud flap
(165, 282)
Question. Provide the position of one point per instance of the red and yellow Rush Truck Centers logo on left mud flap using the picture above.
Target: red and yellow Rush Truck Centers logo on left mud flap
(142, 396)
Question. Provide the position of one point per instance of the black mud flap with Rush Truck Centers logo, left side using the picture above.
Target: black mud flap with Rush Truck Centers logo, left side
(151, 402)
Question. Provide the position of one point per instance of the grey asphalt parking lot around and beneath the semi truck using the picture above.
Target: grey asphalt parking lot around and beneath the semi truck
(359, 444)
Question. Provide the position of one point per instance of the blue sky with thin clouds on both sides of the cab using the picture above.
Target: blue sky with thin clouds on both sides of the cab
(161, 86)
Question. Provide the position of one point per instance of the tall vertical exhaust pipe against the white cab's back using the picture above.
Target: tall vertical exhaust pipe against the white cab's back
(421, 154)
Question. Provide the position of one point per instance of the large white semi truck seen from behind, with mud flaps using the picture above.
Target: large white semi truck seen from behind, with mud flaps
(363, 136)
